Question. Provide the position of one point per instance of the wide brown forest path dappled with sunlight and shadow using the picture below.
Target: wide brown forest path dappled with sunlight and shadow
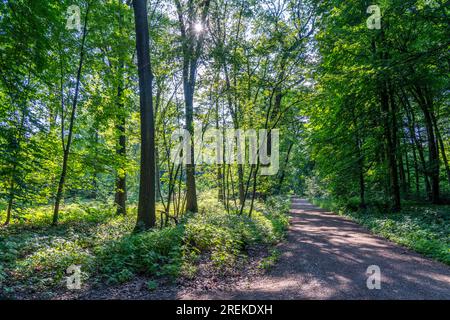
(326, 256)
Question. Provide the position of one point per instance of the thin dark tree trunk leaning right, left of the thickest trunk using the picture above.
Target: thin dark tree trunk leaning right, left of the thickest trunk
(66, 150)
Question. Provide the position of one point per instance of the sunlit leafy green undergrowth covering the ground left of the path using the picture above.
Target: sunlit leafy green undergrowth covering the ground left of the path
(34, 256)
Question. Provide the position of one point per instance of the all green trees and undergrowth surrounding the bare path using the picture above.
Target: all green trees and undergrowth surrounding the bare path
(96, 96)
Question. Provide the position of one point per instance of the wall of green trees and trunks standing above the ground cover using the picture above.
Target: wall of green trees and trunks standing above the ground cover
(89, 100)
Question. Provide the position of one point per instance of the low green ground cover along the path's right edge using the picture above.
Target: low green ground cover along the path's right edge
(421, 227)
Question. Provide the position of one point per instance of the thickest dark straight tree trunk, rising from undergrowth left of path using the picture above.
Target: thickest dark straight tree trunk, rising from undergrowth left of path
(146, 218)
